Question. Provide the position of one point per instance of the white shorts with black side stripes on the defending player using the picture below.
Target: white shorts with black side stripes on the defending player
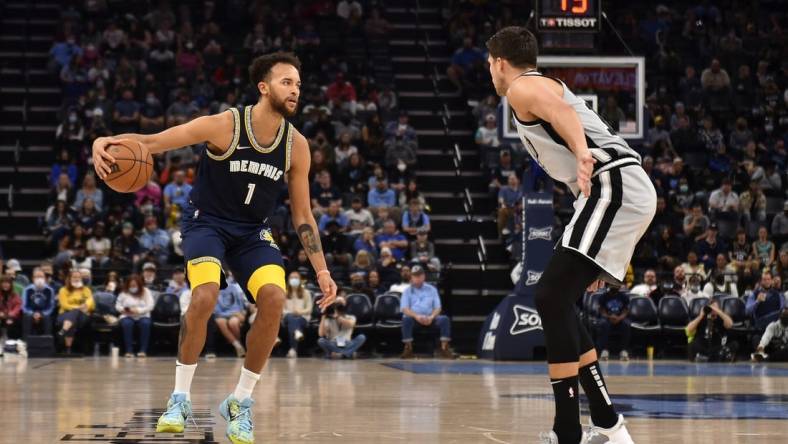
(607, 225)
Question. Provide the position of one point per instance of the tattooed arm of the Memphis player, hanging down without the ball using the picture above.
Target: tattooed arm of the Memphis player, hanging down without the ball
(304, 221)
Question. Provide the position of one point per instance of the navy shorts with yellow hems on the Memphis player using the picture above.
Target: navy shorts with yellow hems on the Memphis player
(248, 250)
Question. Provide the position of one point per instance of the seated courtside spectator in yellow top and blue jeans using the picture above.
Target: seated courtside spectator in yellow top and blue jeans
(76, 304)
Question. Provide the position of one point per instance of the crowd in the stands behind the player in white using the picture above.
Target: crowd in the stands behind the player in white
(716, 127)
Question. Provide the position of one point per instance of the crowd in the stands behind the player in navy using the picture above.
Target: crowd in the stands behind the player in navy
(134, 69)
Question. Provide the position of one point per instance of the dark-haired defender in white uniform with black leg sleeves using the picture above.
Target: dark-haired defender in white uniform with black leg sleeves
(614, 207)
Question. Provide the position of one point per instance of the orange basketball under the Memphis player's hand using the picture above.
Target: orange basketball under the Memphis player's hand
(132, 168)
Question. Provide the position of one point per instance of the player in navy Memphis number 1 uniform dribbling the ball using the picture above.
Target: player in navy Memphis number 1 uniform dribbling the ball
(250, 151)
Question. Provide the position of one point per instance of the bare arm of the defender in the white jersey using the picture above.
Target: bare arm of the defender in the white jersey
(535, 97)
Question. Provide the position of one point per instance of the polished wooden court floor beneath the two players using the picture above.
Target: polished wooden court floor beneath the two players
(101, 400)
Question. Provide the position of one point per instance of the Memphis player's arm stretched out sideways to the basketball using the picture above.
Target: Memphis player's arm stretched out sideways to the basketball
(216, 129)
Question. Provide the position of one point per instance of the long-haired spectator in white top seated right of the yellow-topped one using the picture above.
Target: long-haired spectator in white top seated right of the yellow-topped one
(135, 304)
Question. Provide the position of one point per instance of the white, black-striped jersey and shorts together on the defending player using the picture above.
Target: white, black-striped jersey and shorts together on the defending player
(608, 224)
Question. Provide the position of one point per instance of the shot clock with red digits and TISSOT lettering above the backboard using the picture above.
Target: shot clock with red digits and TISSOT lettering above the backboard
(568, 15)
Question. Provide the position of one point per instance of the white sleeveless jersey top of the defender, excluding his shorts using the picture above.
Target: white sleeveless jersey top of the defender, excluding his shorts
(549, 149)
